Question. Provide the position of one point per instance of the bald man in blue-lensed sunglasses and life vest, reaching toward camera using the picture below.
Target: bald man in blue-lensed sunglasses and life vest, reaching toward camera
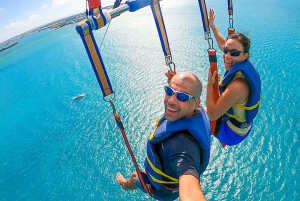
(178, 150)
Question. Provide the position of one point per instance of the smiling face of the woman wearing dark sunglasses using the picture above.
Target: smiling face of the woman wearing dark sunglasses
(233, 52)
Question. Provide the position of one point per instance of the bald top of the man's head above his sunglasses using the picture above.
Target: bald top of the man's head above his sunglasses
(189, 81)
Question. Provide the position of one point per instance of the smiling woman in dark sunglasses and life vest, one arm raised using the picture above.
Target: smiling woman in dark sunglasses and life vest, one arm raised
(240, 89)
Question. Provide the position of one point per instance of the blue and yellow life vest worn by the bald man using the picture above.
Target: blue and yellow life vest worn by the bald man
(198, 126)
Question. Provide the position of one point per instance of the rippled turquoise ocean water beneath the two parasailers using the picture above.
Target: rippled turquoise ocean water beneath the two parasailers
(55, 148)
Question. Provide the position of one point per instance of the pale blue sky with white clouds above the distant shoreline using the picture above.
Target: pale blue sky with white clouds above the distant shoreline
(17, 17)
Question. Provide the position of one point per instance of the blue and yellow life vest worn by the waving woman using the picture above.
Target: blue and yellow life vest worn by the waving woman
(251, 108)
